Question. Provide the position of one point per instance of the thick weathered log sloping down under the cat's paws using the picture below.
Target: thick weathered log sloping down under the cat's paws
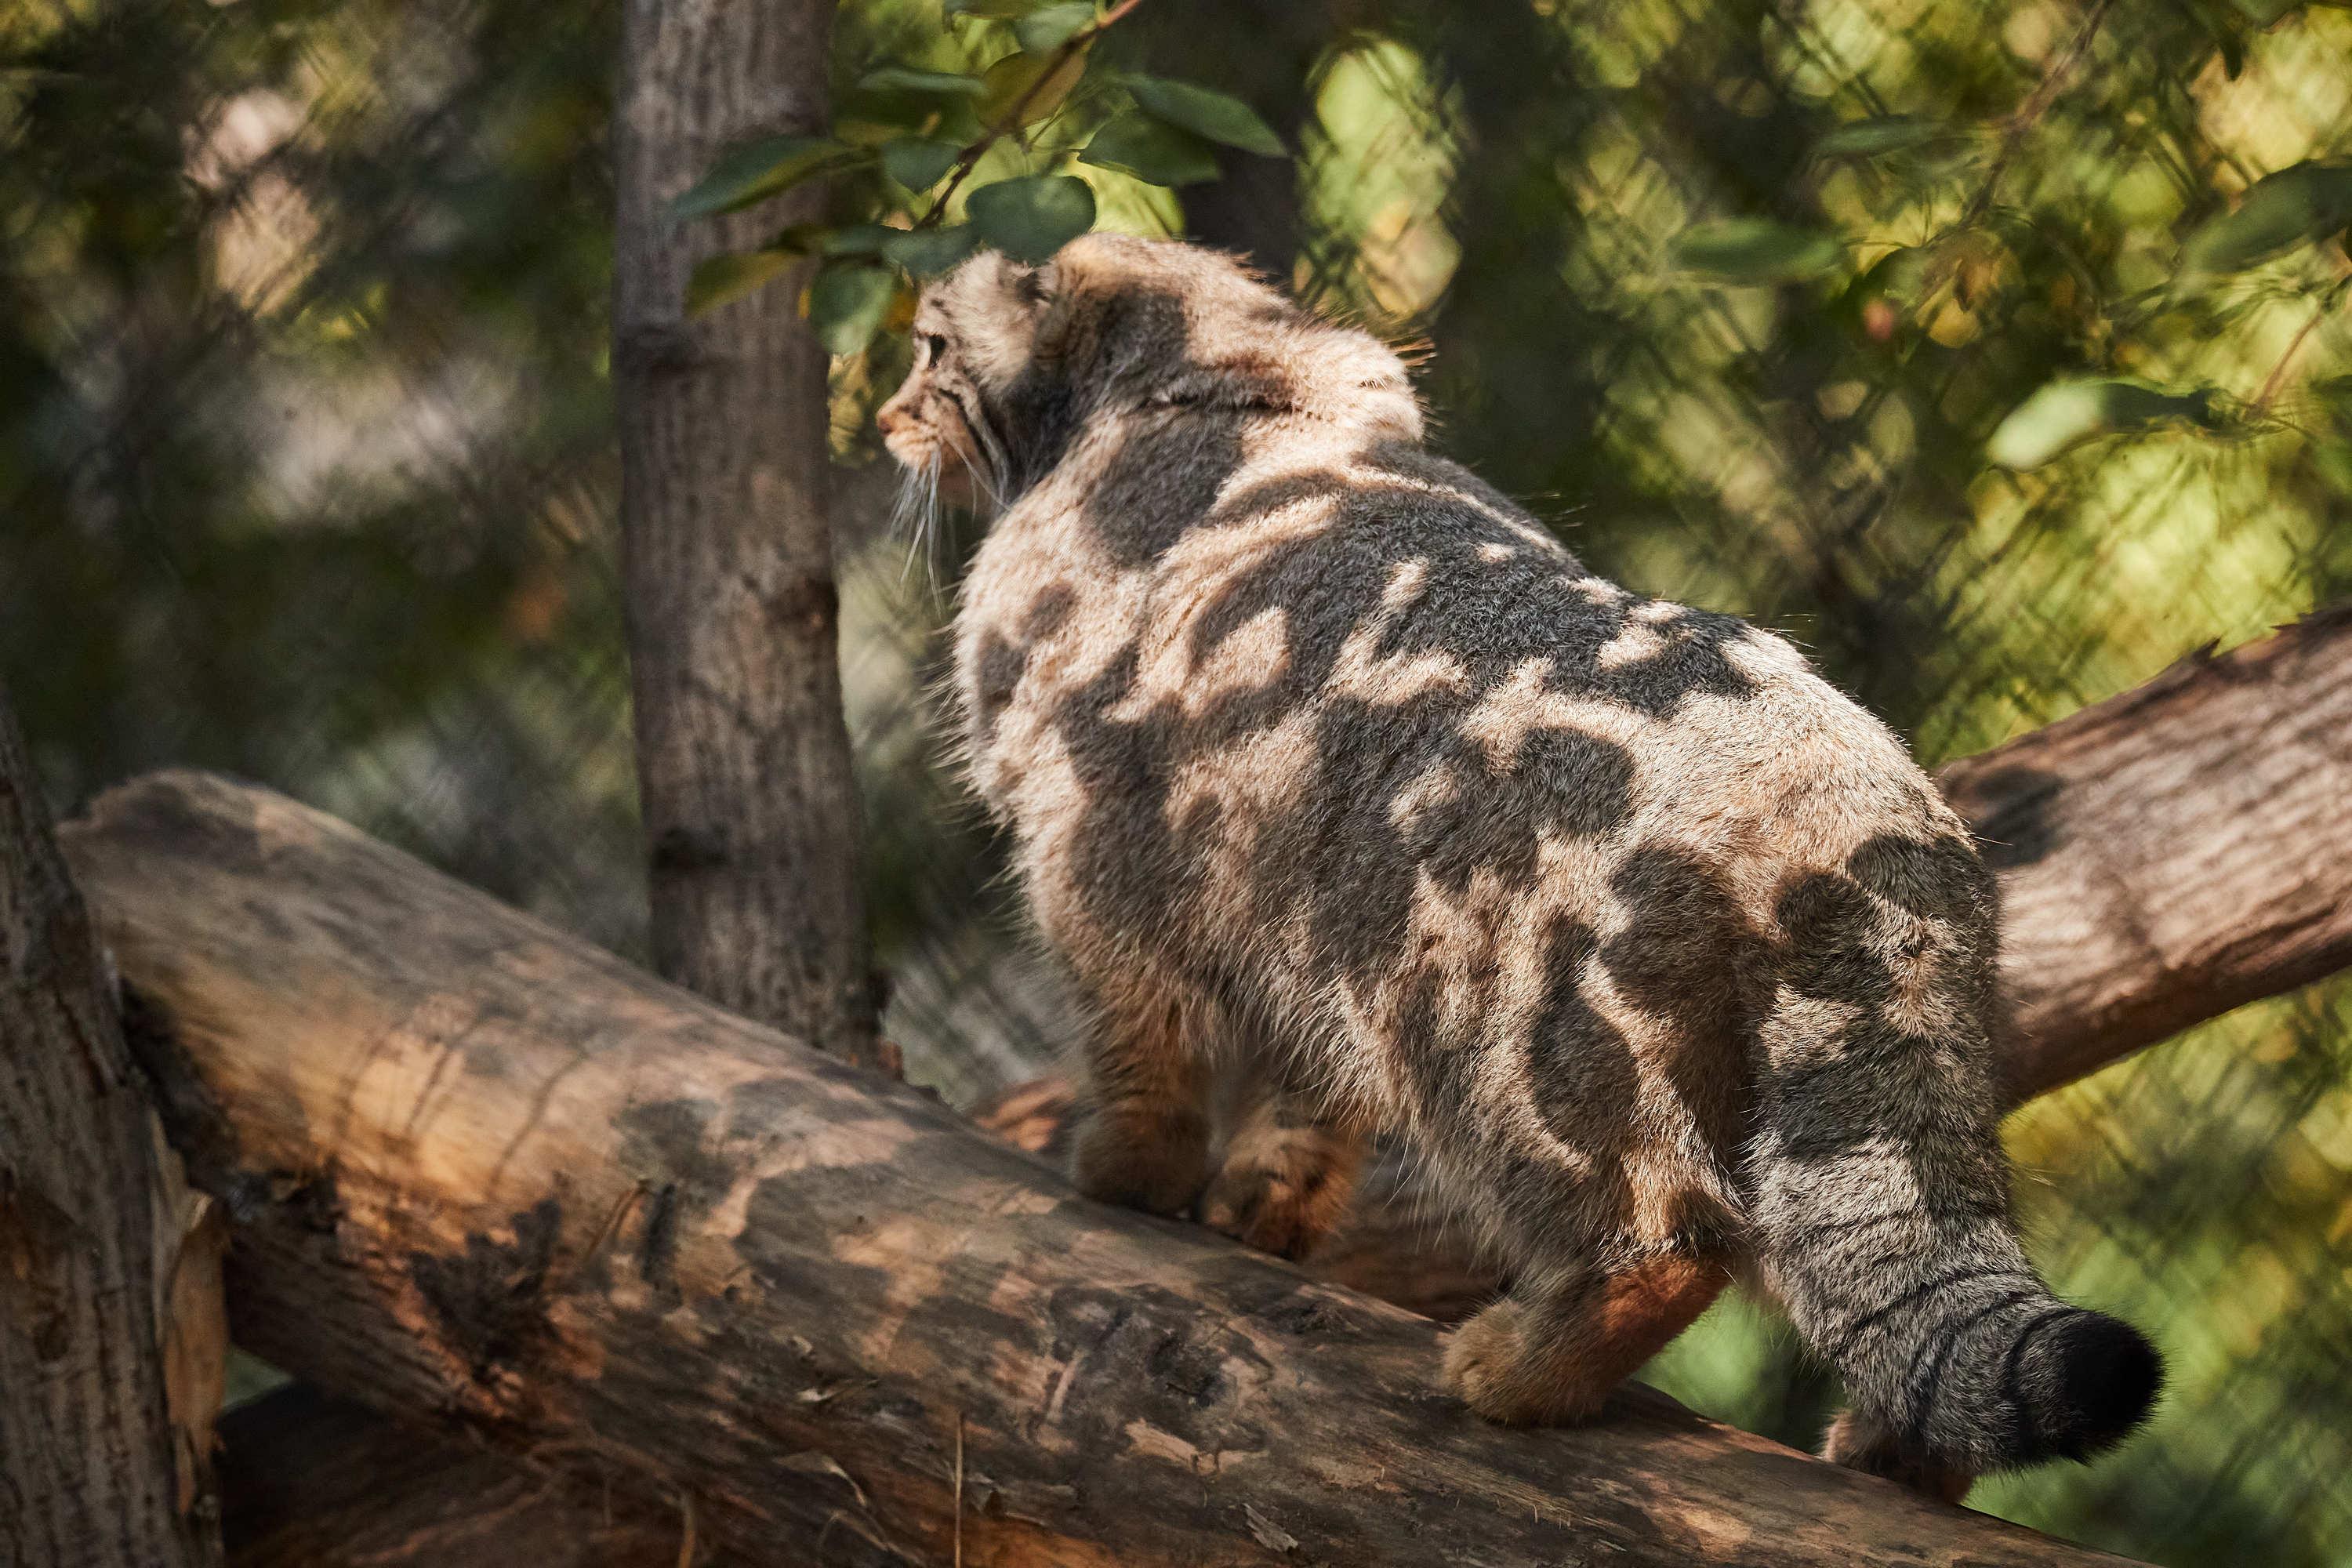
(490, 1174)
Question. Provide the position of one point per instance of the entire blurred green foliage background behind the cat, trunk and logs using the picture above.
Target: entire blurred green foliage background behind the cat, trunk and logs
(1996, 351)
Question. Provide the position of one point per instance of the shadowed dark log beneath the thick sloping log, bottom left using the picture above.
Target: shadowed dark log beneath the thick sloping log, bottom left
(316, 1482)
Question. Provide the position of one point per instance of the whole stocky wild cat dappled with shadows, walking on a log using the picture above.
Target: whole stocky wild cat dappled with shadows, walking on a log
(1328, 765)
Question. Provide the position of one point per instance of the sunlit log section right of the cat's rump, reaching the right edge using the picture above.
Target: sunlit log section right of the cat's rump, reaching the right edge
(2172, 852)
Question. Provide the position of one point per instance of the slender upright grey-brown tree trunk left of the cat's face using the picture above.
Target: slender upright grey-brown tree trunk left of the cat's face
(728, 558)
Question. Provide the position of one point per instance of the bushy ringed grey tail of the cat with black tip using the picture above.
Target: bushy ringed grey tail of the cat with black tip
(1883, 1212)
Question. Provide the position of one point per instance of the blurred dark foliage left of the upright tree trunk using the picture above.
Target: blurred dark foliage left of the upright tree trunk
(305, 434)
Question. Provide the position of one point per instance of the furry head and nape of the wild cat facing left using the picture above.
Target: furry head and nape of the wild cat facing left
(1013, 361)
